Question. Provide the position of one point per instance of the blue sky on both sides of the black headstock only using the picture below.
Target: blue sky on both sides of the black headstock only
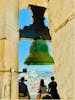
(25, 18)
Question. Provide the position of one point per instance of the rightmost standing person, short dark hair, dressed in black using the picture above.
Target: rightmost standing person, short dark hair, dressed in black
(52, 88)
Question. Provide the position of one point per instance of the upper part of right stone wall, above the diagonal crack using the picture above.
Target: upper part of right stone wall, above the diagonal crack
(59, 12)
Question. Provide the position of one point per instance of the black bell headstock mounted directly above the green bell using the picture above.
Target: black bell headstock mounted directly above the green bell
(38, 28)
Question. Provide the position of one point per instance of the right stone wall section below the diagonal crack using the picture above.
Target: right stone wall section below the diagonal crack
(63, 53)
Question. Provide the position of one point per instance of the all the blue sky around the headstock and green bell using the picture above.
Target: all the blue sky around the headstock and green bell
(25, 18)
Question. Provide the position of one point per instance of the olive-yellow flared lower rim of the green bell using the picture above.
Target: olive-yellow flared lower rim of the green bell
(36, 60)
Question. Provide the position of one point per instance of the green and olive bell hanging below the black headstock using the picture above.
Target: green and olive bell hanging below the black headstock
(39, 54)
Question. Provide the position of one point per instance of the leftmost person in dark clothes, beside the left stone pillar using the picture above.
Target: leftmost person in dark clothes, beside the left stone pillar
(23, 89)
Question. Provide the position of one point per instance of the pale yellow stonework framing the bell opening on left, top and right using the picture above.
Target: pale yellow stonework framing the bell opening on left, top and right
(61, 19)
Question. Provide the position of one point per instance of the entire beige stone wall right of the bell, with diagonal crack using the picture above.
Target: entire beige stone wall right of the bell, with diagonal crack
(61, 18)
